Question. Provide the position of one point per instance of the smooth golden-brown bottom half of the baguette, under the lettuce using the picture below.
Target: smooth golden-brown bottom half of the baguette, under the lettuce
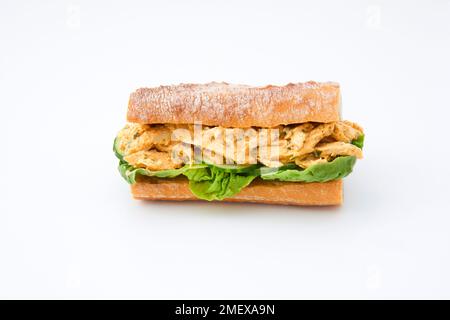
(259, 191)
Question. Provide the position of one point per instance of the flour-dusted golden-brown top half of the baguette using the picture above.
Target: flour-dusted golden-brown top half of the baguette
(240, 106)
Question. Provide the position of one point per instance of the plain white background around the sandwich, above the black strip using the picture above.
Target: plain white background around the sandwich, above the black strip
(68, 226)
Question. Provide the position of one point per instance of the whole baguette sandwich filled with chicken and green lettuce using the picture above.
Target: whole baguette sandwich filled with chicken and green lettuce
(224, 142)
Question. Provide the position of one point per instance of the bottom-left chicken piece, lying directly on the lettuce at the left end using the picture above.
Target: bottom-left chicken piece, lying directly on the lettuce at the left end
(152, 160)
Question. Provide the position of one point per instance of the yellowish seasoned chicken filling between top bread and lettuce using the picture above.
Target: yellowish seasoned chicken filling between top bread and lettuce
(161, 147)
